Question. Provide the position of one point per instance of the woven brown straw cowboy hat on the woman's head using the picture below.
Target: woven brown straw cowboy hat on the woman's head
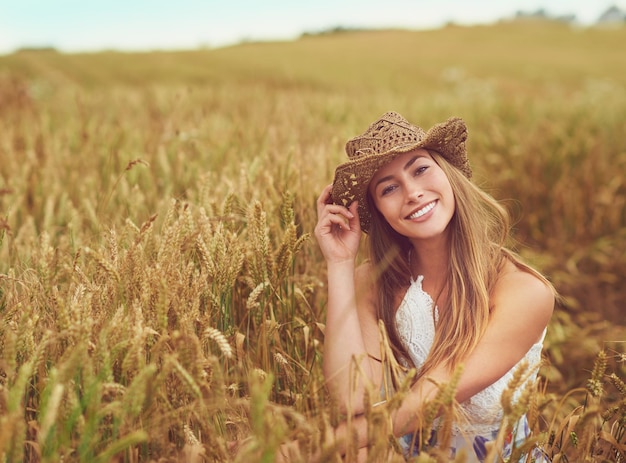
(389, 136)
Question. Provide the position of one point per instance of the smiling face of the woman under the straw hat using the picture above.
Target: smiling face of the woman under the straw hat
(414, 195)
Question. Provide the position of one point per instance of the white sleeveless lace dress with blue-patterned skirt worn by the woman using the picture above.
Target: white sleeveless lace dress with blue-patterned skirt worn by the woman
(415, 320)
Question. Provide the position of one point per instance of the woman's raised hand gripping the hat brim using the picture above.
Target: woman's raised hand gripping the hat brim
(338, 230)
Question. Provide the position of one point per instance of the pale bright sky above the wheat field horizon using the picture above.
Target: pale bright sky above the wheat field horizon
(132, 25)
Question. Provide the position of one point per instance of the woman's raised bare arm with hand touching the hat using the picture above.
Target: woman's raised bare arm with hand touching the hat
(351, 333)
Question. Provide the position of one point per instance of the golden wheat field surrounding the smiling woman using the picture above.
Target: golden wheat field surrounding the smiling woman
(161, 296)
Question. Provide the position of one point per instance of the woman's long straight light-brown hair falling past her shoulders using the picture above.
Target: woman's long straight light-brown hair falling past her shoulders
(479, 230)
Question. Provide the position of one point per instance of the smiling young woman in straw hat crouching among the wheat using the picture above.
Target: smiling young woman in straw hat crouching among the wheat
(439, 276)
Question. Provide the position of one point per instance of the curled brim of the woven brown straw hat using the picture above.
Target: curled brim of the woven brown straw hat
(352, 178)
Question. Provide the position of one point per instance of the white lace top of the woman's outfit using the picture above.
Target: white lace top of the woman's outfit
(415, 320)
